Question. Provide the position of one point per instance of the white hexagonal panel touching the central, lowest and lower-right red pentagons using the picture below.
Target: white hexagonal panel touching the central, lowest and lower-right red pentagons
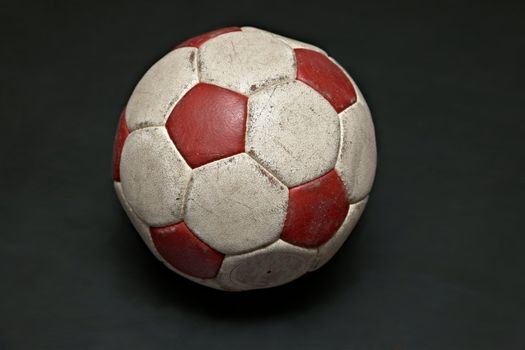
(234, 205)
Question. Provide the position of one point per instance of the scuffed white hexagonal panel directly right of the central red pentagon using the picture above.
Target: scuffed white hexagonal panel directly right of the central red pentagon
(293, 132)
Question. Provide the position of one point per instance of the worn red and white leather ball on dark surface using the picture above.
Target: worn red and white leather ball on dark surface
(244, 159)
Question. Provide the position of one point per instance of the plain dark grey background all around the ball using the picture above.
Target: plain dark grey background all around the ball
(437, 261)
